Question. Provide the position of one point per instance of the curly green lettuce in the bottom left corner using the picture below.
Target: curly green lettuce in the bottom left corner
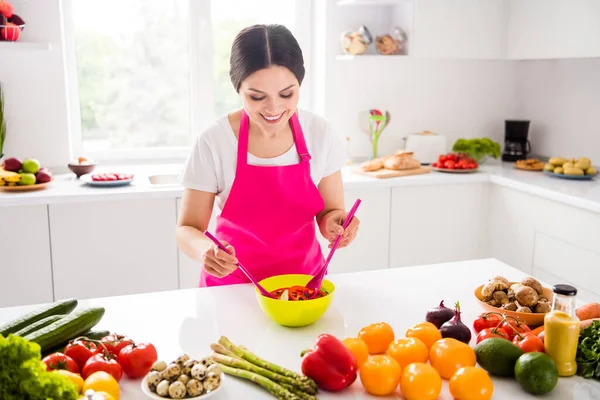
(24, 376)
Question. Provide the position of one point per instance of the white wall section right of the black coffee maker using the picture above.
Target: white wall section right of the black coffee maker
(562, 100)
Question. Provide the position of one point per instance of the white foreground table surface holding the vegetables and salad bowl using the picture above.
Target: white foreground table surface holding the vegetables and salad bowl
(190, 320)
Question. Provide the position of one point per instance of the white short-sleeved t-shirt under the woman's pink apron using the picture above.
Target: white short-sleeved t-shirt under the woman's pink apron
(211, 164)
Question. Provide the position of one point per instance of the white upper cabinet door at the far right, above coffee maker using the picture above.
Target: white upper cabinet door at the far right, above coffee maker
(549, 29)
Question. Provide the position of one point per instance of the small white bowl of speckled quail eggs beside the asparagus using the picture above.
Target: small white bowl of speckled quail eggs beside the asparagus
(184, 378)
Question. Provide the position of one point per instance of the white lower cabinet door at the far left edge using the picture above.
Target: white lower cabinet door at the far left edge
(25, 264)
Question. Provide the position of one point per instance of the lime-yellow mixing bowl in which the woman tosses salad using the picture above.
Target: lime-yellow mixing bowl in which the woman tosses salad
(294, 313)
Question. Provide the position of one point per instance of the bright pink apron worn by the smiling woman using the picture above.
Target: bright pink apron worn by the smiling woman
(269, 216)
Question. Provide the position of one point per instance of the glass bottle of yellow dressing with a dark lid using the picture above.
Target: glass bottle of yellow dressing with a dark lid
(561, 330)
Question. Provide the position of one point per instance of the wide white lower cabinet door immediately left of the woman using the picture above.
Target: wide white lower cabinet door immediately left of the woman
(113, 248)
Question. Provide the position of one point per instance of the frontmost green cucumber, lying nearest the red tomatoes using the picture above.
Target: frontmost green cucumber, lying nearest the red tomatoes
(67, 328)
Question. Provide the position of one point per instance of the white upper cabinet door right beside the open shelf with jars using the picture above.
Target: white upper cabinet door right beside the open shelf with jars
(460, 29)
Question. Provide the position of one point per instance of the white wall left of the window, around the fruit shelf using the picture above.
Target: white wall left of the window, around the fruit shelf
(35, 88)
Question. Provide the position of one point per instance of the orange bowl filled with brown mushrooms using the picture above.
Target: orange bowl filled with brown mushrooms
(526, 300)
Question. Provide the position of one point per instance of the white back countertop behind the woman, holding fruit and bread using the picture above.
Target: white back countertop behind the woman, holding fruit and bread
(66, 188)
